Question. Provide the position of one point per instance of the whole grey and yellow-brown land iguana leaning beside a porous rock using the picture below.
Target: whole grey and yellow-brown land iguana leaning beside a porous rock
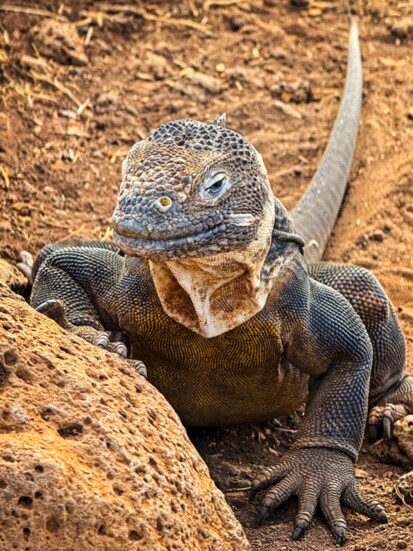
(220, 293)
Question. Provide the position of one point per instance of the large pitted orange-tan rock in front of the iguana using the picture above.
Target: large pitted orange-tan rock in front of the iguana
(92, 457)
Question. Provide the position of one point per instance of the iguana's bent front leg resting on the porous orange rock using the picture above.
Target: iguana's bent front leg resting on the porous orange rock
(59, 292)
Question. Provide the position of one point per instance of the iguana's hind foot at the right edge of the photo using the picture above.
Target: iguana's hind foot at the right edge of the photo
(397, 405)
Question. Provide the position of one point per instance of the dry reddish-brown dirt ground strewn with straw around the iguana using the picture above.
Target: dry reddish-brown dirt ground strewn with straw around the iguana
(64, 130)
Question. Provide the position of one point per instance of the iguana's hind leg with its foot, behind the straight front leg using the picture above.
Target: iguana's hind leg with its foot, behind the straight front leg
(391, 389)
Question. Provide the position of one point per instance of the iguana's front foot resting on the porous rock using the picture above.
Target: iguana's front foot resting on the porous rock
(108, 340)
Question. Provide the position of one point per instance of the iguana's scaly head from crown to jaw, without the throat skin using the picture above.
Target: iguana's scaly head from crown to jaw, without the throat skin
(191, 189)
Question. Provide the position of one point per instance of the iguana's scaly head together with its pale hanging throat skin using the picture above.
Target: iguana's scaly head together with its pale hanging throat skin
(195, 200)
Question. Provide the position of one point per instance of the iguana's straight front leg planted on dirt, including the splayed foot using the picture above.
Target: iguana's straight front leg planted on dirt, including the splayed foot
(331, 344)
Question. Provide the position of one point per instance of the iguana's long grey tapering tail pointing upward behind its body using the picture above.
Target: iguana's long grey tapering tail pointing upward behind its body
(315, 214)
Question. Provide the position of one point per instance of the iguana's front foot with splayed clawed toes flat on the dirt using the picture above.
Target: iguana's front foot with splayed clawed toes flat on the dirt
(315, 475)
